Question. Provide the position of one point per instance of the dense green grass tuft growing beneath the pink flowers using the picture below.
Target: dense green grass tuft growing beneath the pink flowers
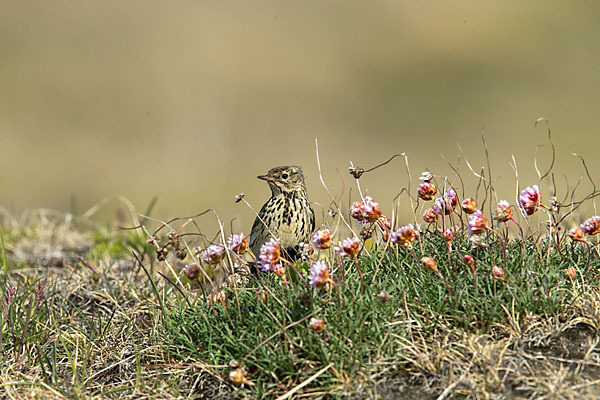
(273, 340)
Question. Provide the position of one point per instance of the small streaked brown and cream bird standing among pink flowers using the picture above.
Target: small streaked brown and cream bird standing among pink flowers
(287, 215)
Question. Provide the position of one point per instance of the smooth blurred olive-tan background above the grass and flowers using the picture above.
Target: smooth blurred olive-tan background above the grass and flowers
(189, 101)
